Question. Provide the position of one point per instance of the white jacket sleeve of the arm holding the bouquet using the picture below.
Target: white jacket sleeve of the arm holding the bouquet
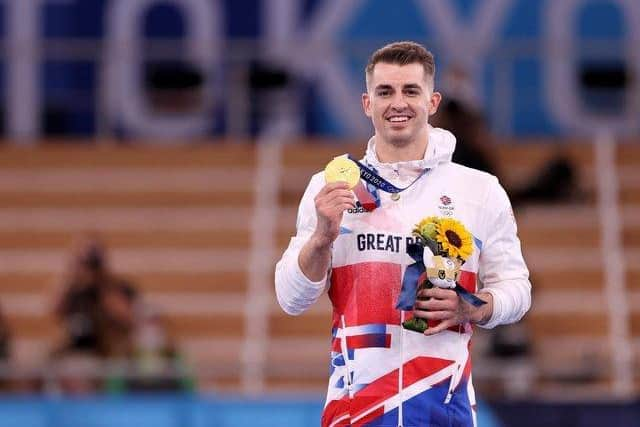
(502, 270)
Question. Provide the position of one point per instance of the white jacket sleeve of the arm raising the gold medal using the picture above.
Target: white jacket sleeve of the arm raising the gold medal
(294, 291)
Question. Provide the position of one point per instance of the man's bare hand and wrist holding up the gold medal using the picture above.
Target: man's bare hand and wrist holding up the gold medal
(331, 202)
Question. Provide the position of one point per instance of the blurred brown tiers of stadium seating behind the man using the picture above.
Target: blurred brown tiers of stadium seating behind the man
(177, 221)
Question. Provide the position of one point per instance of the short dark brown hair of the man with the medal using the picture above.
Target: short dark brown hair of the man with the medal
(403, 53)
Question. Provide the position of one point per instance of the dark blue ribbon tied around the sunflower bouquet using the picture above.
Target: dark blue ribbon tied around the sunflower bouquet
(407, 298)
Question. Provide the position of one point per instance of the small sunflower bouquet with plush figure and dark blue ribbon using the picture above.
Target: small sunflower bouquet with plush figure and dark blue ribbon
(442, 247)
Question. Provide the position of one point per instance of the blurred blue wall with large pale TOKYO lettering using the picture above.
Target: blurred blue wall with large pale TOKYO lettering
(103, 67)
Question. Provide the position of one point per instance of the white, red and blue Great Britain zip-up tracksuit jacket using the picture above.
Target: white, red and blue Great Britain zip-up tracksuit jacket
(380, 373)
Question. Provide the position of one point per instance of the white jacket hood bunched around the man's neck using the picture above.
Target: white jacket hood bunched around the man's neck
(439, 150)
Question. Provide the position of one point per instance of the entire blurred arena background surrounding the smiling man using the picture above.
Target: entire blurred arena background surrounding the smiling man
(153, 154)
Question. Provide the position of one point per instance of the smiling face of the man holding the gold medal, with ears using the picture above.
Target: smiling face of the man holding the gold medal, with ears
(399, 102)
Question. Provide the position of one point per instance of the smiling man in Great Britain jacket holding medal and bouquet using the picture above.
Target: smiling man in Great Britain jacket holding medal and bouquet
(381, 373)
